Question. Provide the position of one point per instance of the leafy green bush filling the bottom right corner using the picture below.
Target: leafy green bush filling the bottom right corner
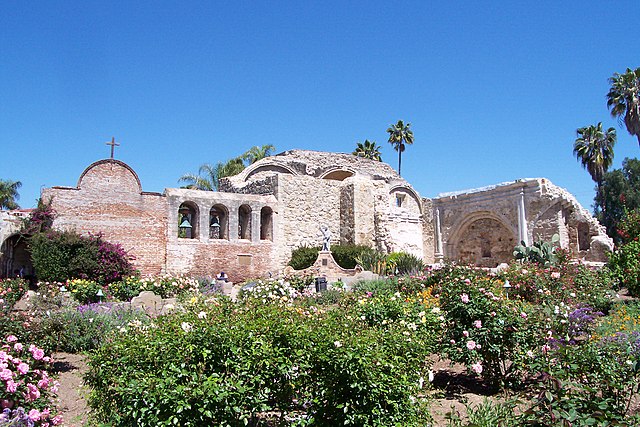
(588, 384)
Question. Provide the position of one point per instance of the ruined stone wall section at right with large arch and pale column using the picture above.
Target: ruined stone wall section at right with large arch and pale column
(482, 226)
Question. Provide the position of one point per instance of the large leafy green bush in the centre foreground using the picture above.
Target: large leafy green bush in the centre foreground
(234, 365)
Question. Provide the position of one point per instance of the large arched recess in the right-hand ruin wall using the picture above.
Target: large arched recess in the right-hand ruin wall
(483, 239)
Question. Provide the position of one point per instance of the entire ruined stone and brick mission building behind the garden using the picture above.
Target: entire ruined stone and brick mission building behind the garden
(250, 226)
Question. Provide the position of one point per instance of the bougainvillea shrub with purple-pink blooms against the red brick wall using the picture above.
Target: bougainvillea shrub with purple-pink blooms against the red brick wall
(61, 255)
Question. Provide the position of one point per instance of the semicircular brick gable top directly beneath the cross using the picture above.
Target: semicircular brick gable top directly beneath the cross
(106, 170)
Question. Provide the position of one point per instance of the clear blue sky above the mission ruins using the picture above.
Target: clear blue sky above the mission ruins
(494, 90)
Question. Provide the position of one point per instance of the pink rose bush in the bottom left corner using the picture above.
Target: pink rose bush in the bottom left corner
(26, 384)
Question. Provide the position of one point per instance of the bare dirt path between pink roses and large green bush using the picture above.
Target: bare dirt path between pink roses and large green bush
(72, 393)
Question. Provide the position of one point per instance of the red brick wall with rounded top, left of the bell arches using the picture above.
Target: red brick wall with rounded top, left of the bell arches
(109, 200)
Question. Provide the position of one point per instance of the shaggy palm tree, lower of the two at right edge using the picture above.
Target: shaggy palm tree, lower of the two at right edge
(594, 149)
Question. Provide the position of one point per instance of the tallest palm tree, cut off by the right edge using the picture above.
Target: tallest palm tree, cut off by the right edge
(623, 99)
